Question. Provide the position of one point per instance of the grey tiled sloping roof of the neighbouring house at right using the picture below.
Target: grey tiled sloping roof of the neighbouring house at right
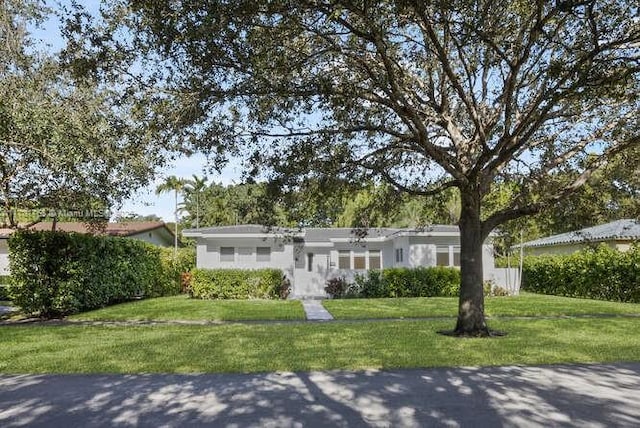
(620, 230)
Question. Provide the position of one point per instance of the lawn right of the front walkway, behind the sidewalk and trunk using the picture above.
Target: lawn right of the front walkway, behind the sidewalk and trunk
(526, 304)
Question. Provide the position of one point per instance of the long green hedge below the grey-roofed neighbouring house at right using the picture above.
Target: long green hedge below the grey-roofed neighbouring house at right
(603, 273)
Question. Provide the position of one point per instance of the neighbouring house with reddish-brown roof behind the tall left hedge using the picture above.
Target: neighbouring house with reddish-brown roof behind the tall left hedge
(154, 232)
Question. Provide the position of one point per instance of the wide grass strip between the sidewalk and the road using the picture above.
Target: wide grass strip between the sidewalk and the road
(310, 346)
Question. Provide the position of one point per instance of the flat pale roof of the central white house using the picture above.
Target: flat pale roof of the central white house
(320, 234)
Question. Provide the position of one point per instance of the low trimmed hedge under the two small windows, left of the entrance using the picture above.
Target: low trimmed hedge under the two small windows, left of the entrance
(238, 284)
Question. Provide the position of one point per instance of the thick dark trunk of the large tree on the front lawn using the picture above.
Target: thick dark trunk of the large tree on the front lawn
(471, 321)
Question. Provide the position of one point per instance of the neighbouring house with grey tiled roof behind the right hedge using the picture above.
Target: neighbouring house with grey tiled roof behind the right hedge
(619, 235)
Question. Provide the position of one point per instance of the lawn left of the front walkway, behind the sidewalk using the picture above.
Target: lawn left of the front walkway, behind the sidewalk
(186, 309)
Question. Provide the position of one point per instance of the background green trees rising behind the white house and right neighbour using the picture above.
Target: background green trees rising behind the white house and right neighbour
(611, 194)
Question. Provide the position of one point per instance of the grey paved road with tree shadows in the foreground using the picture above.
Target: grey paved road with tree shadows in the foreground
(580, 396)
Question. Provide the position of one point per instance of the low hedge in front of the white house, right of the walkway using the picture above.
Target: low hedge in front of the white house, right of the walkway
(405, 282)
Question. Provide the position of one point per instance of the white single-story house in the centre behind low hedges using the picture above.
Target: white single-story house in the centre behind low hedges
(309, 257)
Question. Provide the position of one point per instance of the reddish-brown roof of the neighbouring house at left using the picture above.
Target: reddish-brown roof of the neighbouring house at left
(113, 229)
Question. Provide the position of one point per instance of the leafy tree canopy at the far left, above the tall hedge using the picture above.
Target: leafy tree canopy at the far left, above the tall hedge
(64, 145)
